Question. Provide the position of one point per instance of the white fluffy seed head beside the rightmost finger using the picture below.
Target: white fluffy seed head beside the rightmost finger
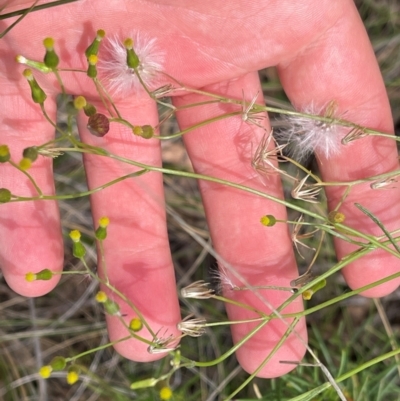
(306, 135)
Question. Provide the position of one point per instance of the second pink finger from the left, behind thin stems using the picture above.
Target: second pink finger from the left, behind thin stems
(136, 252)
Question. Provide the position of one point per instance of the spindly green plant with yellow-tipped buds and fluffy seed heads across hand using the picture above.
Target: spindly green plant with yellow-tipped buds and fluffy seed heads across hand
(135, 63)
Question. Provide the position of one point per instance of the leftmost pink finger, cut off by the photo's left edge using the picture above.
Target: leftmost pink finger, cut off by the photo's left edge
(30, 231)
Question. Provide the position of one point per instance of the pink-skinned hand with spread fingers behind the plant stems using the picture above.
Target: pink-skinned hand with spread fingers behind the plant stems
(322, 53)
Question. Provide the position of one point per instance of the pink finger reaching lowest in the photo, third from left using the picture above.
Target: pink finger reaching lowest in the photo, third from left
(260, 256)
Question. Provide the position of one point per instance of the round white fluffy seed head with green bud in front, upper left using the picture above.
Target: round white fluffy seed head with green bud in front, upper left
(117, 77)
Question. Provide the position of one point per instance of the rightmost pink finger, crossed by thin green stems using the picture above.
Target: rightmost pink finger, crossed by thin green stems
(341, 66)
